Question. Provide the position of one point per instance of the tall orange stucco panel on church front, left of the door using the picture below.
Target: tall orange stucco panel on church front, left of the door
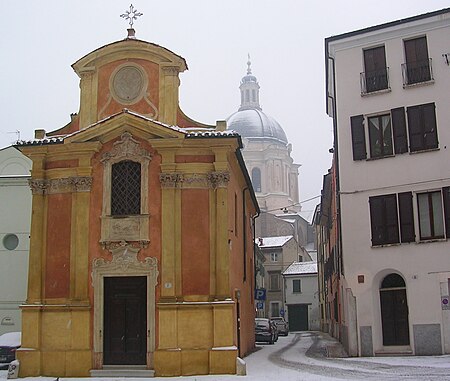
(57, 262)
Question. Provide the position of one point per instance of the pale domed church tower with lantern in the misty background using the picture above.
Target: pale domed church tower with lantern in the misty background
(267, 152)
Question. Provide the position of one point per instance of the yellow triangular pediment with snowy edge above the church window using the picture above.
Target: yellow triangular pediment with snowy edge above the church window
(125, 121)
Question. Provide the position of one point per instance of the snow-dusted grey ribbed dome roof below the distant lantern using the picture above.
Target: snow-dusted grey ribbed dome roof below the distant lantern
(254, 123)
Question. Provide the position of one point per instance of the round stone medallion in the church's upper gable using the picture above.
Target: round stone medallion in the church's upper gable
(128, 84)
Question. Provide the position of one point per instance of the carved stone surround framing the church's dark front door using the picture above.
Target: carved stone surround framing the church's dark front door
(124, 263)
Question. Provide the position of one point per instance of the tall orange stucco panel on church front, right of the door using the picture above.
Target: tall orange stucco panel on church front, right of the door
(195, 241)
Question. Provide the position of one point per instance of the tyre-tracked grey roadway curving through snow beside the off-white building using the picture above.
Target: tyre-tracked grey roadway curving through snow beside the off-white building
(306, 353)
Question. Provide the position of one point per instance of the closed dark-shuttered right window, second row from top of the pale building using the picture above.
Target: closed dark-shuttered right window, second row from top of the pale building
(422, 127)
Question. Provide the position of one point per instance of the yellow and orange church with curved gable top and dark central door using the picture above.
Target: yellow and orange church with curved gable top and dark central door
(141, 250)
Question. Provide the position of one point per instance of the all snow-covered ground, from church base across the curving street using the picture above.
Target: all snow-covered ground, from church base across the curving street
(302, 356)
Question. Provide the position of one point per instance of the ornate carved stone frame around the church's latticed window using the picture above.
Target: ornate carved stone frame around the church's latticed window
(125, 228)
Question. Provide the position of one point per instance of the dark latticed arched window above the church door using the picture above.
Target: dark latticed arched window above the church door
(126, 188)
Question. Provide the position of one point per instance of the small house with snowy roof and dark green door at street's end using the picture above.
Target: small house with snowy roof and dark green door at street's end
(301, 296)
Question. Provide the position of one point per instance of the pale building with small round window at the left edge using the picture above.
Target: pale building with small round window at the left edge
(15, 209)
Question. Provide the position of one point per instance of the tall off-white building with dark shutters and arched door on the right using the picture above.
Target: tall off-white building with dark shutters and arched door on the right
(388, 94)
